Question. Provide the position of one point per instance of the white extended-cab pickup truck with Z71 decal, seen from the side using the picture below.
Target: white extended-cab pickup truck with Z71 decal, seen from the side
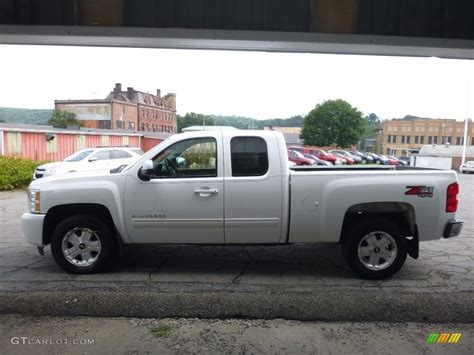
(235, 187)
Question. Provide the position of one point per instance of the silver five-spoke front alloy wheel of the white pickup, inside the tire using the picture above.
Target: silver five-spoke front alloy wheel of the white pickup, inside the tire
(81, 246)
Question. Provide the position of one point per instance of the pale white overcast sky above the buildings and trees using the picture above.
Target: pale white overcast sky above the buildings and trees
(260, 85)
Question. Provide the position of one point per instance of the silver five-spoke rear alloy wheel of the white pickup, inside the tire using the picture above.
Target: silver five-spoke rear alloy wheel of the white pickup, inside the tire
(377, 250)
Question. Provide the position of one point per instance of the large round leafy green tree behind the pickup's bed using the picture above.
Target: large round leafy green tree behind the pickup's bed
(333, 122)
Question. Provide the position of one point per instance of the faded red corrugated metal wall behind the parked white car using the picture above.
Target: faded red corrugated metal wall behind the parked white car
(34, 145)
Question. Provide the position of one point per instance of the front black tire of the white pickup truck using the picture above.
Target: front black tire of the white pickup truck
(99, 231)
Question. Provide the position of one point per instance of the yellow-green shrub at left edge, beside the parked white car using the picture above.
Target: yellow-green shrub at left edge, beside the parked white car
(16, 172)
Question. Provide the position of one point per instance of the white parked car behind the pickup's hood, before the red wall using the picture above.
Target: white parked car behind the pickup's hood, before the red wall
(90, 159)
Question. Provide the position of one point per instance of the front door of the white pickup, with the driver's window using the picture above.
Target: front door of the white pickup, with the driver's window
(183, 202)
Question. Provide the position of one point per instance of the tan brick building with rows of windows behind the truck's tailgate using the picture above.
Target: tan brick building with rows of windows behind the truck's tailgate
(403, 137)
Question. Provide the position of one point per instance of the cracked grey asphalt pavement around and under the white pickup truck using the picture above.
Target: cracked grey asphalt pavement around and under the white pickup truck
(300, 282)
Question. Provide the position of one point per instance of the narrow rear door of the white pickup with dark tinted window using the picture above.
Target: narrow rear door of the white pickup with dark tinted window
(253, 190)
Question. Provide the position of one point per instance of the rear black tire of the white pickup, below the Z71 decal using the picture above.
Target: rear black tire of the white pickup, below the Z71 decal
(352, 244)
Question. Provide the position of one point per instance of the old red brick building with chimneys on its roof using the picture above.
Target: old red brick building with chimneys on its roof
(129, 110)
